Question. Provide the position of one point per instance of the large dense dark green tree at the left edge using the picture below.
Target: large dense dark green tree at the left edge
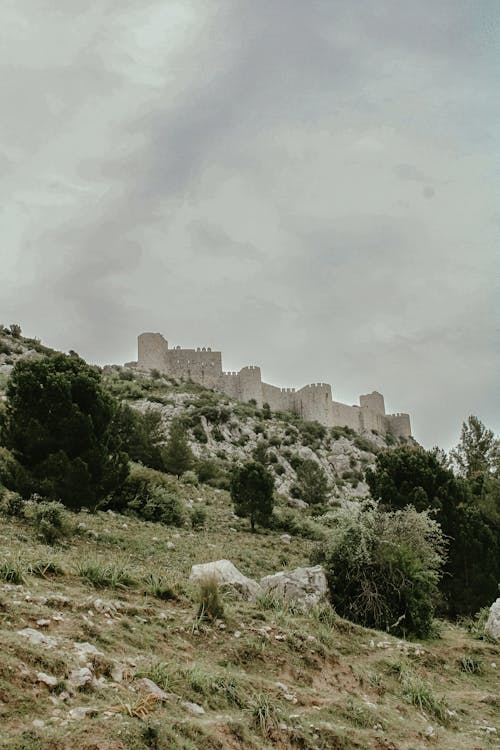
(58, 425)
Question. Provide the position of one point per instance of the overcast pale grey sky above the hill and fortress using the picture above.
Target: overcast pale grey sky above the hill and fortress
(307, 185)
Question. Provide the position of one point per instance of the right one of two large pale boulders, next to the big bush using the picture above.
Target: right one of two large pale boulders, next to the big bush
(307, 586)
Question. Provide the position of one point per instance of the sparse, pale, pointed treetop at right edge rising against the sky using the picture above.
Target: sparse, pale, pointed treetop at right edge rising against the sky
(478, 451)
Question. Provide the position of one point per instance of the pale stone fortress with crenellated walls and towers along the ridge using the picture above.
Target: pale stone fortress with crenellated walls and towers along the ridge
(312, 402)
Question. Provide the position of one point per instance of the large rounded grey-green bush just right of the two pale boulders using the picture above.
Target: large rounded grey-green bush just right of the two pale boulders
(383, 568)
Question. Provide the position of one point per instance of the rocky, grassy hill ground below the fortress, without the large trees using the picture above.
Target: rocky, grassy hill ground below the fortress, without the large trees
(86, 622)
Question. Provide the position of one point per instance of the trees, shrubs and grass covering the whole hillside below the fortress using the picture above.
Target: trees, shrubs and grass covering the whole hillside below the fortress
(175, 471)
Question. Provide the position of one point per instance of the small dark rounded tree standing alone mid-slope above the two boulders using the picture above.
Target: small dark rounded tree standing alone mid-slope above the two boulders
(251, 490)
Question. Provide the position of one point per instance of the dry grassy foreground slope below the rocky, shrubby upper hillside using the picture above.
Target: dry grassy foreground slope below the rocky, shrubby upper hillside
(346, 687)
